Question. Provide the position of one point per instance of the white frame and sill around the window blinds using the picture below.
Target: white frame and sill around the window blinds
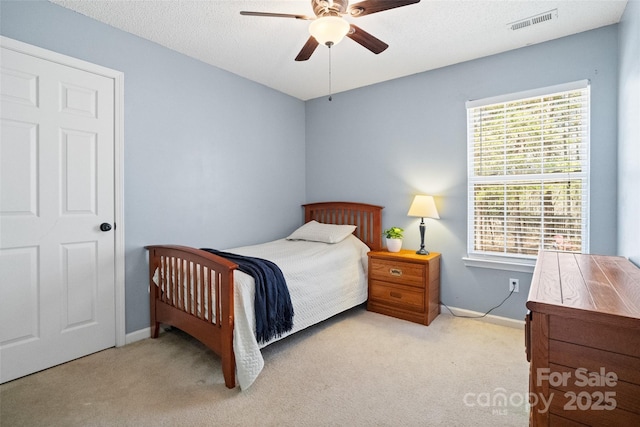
(511, 261)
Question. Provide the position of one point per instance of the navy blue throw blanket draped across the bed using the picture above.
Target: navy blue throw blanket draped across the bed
(273, 308)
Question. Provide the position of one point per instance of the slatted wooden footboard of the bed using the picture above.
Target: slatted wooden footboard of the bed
(193, 291)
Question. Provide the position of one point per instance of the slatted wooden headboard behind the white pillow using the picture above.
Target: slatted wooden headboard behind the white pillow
(367, 218)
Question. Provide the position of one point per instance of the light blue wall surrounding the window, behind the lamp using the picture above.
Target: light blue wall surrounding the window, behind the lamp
(384, 143)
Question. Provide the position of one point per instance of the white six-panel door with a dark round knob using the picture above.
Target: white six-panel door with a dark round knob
(57, 284)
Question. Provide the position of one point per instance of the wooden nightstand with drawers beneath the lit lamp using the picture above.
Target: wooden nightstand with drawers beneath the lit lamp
(405, 285)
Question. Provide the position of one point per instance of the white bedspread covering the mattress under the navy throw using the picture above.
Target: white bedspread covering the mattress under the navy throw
(323, 279)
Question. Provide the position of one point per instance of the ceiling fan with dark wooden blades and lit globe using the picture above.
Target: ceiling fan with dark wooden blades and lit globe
(329, 27)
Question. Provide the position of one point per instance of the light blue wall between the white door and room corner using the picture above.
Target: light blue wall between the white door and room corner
(204, 149)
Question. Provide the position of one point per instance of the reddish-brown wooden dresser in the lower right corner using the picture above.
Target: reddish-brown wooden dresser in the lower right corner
(583, 341)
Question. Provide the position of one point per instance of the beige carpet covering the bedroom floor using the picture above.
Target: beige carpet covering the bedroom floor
(359, 368)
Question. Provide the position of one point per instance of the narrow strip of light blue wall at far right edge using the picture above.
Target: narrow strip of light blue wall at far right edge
(629, 135)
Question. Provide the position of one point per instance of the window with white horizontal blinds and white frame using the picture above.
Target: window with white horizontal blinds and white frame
(528, 172)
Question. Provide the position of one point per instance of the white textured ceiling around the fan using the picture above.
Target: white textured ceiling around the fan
(421, 37)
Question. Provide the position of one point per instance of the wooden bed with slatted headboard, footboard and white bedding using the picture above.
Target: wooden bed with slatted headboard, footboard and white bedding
(206, 296)
